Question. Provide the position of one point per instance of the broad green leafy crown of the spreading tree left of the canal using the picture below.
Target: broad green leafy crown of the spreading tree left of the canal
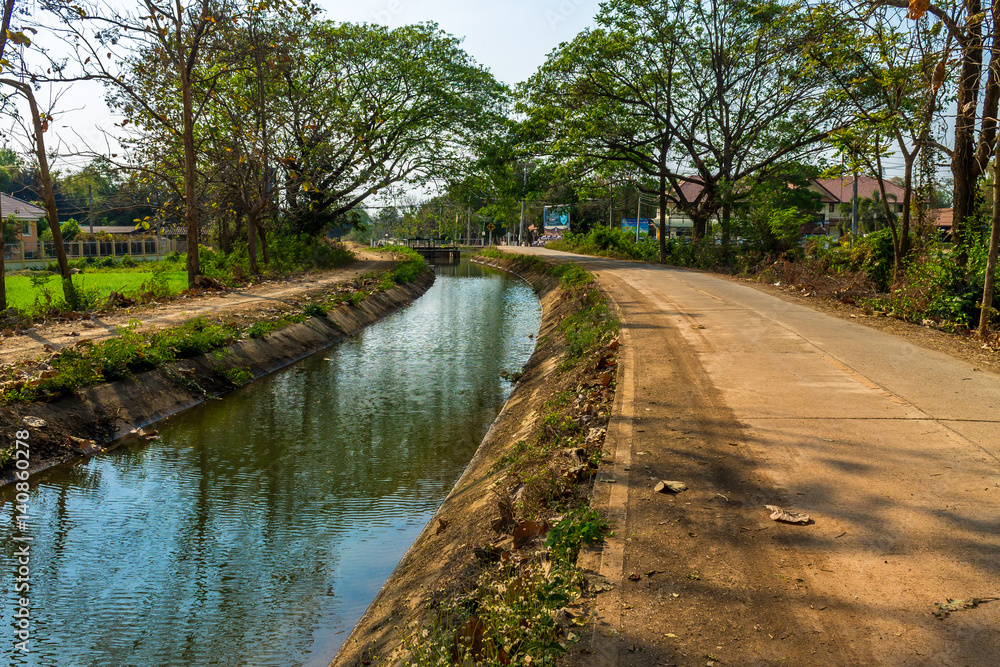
(370, 108)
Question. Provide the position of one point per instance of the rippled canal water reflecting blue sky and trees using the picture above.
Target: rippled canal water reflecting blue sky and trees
(258, 530)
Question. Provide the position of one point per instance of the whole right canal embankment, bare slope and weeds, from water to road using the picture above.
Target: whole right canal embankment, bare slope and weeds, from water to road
(493, 575)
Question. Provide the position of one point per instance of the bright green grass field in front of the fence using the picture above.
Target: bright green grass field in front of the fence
(22, 295)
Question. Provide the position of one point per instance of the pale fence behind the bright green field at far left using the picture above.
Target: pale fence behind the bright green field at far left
(18, 256)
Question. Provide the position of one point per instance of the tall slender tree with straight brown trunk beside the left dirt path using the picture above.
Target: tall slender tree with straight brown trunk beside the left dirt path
(166, 48)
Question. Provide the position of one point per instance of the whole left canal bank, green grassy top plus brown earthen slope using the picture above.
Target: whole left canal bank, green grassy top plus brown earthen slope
(86, 392)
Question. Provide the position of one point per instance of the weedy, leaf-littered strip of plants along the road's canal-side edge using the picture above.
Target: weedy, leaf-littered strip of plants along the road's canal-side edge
(521, 608)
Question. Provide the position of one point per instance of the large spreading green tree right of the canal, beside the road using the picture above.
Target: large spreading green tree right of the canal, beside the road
(706, 99)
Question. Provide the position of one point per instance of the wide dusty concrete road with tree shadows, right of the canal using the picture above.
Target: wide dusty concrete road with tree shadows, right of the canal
(893, 449)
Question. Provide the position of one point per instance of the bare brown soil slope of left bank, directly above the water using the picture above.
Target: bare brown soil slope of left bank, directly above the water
(99, 417)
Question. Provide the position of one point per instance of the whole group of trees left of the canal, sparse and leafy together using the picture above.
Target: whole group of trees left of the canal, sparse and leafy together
(249, 119)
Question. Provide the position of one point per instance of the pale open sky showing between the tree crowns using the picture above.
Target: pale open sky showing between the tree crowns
(511, 38)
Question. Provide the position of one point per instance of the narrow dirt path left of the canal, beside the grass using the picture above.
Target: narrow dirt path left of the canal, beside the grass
(263, 298)
